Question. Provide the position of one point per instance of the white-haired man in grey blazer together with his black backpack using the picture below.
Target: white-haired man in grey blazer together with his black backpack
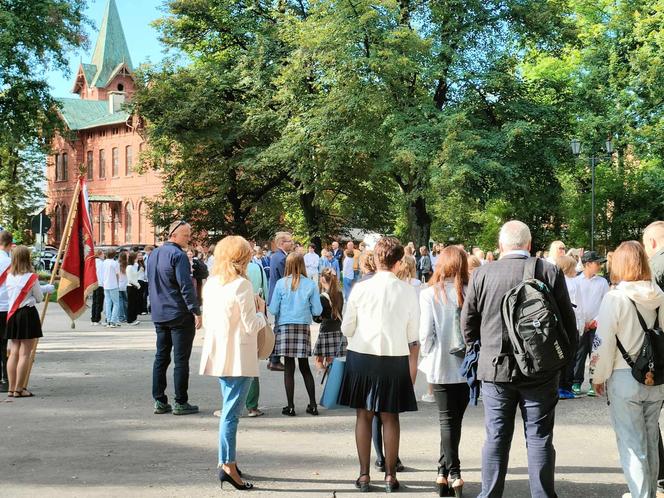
(520, 311)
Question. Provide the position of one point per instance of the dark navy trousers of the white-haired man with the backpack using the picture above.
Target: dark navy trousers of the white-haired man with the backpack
(538, 407)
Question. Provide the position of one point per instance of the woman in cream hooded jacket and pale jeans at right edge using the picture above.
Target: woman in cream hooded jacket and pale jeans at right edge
(634, 407)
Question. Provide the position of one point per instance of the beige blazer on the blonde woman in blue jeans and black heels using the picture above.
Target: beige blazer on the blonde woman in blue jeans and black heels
(231, 327)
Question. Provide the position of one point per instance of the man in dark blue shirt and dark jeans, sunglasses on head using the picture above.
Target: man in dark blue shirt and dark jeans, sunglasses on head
(176, 316)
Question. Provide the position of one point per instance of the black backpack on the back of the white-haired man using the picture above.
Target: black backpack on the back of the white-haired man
(534, 327)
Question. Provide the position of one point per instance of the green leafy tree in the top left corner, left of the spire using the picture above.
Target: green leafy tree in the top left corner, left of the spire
(35, 36)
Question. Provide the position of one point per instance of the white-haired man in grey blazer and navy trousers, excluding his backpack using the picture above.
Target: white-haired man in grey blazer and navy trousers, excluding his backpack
(503, 387)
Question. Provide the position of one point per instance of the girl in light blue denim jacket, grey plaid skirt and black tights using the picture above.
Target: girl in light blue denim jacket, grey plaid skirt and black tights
(294, 303)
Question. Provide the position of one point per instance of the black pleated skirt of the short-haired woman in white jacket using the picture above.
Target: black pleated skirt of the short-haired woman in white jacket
(377, 383)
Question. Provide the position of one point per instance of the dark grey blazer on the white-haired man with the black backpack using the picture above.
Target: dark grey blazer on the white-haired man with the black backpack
(481, 318)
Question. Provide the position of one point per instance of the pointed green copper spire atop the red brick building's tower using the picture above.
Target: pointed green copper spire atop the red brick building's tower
(111, 48)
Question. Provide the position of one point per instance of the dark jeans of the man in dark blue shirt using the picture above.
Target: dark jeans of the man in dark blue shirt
(177, 335)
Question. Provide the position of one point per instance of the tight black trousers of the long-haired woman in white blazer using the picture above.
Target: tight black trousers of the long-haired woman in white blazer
(452, 400)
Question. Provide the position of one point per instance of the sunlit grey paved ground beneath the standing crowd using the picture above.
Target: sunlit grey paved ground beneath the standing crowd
(90, 431)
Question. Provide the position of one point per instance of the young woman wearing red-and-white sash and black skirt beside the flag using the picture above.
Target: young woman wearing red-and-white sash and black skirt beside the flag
(23, 324)
